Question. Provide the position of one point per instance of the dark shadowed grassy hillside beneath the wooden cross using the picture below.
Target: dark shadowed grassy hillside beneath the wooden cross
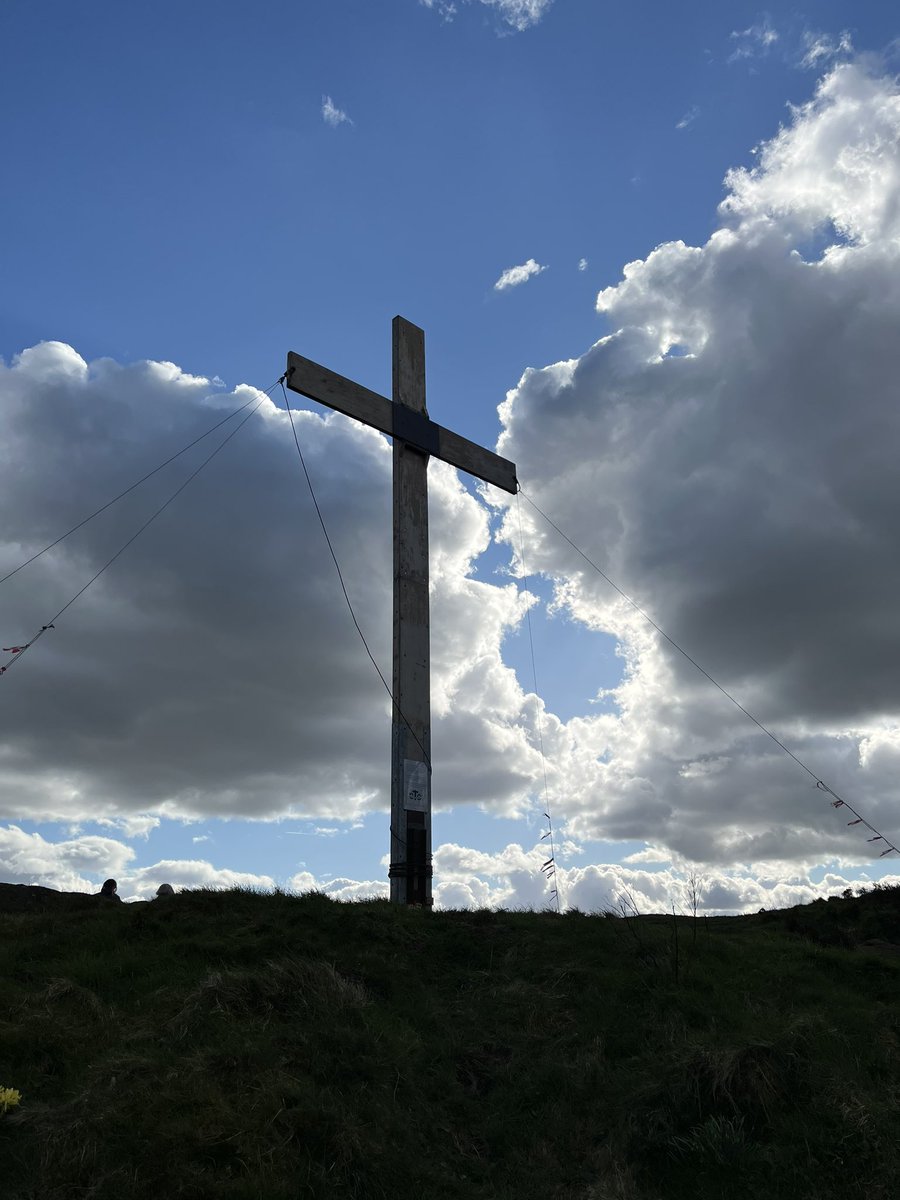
(269, 1047)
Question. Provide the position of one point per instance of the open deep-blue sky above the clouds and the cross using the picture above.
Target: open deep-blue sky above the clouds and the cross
(178, 195)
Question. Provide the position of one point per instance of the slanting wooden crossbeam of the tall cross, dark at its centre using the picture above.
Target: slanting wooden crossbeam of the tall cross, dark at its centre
(331, 389)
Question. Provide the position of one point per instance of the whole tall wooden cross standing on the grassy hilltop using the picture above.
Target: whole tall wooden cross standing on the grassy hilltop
(416, 439)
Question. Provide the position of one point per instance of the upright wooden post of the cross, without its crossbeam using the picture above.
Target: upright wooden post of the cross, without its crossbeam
(411, 733)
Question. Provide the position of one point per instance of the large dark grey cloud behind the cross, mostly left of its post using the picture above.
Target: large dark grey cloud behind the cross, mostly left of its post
(214, 669)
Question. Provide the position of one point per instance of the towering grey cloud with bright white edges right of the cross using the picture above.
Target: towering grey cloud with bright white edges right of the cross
(728, 455)
